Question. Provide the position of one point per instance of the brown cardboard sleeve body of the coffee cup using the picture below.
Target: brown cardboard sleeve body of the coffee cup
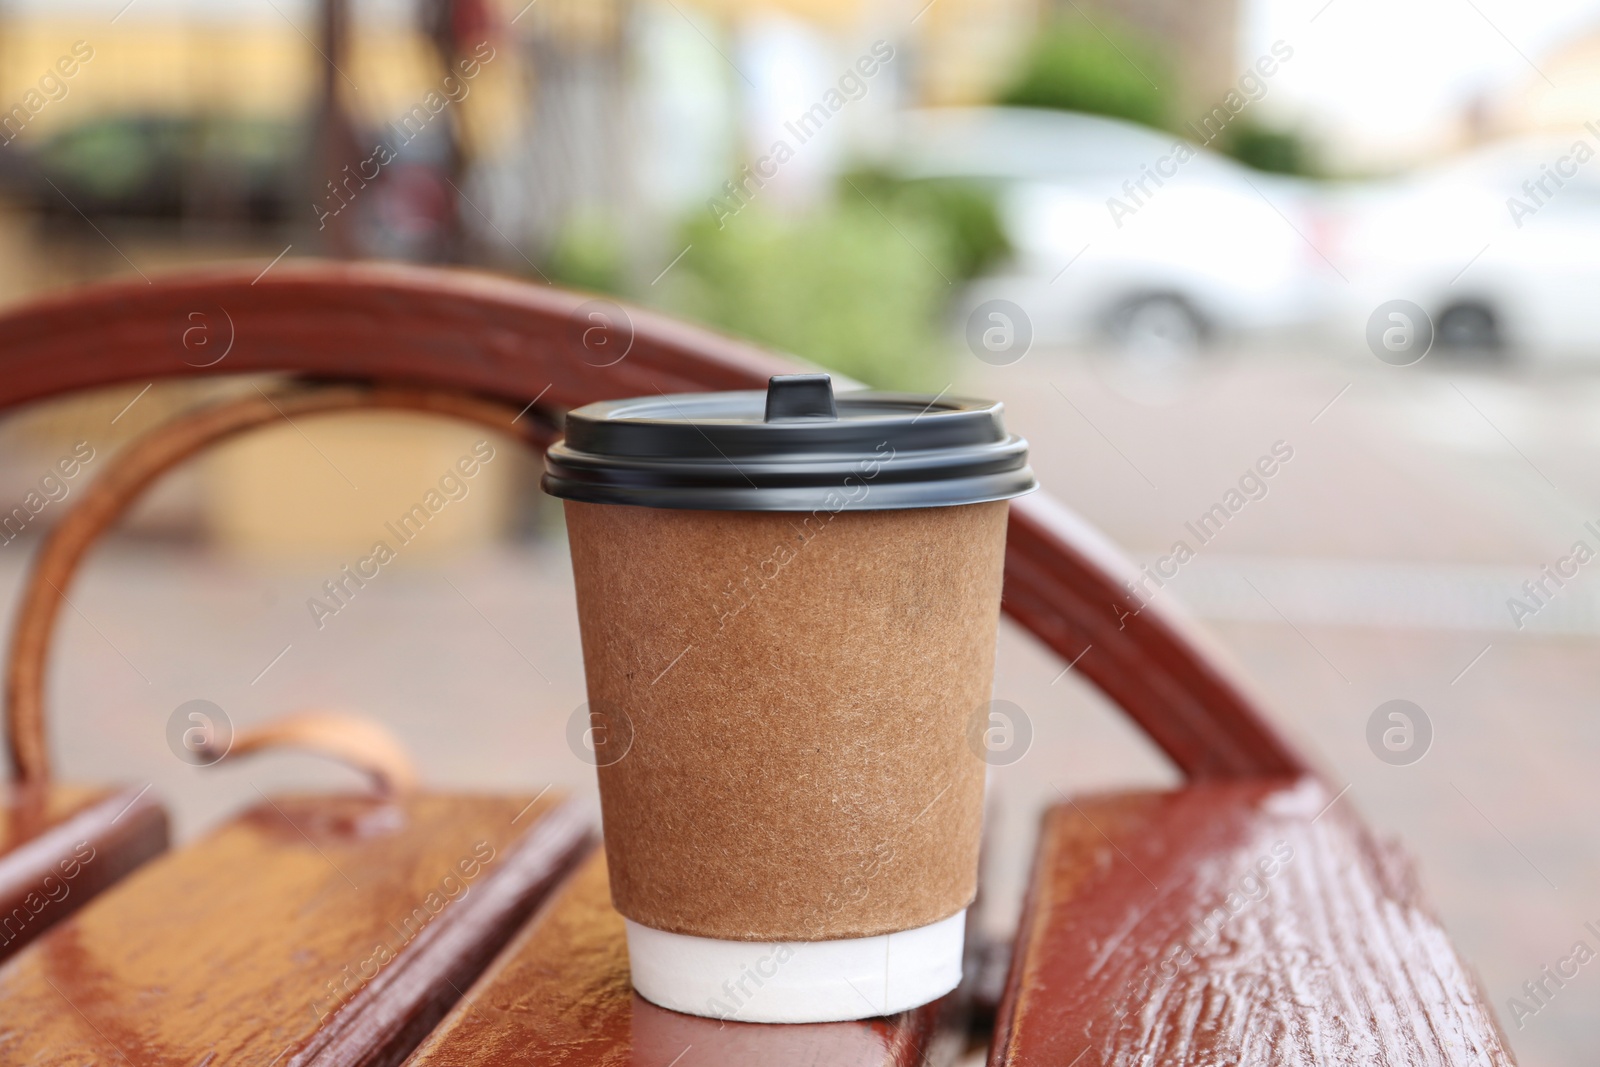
(782, 709)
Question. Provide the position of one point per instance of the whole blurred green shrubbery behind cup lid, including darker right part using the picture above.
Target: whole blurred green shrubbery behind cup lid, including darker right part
(858, 286)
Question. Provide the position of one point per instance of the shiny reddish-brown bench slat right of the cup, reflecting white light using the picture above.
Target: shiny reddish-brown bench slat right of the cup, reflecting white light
(1244, 924)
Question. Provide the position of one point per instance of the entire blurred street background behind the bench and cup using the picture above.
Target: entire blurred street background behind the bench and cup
(1175, 238)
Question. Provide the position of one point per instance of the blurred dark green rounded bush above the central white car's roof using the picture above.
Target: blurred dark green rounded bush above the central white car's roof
(1103, 71)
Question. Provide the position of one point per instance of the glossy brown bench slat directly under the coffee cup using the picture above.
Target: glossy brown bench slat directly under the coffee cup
(561, 997)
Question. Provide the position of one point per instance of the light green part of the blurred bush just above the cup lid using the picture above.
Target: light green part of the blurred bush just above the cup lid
(842, 287)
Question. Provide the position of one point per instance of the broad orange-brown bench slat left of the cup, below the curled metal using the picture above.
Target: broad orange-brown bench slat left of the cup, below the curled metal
(311, 930)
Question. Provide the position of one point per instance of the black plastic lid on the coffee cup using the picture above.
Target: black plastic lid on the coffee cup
(794, 449)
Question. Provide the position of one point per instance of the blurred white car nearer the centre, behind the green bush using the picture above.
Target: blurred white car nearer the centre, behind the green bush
(1127, 233)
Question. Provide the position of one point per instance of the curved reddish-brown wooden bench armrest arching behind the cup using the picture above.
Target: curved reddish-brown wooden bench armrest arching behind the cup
(514, 342)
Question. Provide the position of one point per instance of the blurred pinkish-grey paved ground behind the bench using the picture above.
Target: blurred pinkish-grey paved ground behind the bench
(1377, 567)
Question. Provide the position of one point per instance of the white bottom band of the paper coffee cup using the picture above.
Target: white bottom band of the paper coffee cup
(798, 981)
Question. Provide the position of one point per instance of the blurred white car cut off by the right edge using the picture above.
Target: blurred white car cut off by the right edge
(1500, 247)
